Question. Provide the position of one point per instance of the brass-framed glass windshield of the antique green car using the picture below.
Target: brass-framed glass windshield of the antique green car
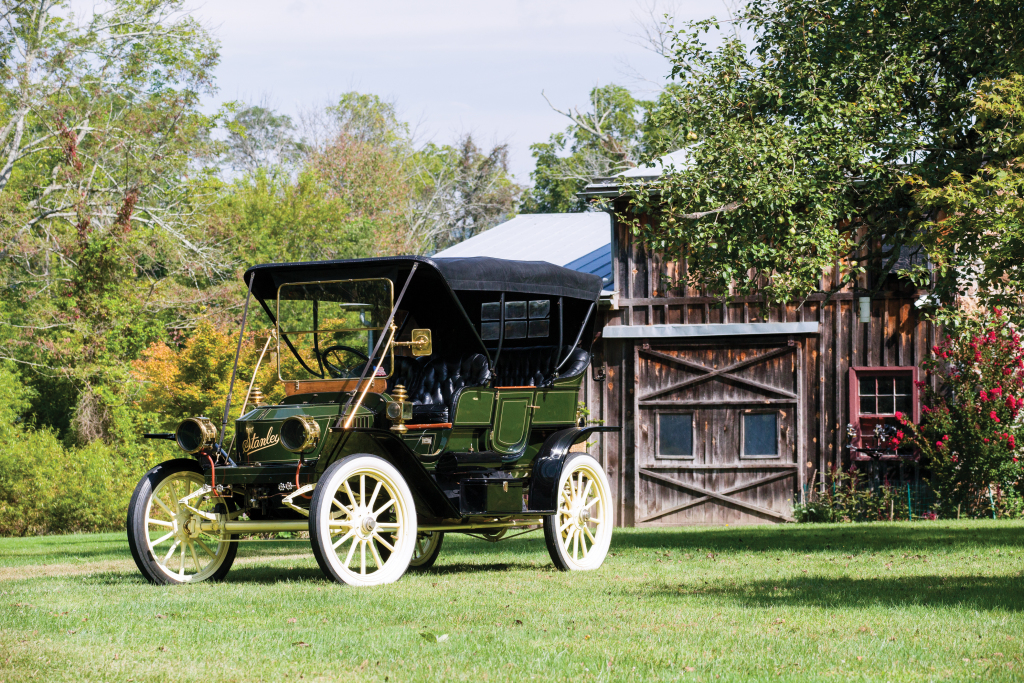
(331, 328)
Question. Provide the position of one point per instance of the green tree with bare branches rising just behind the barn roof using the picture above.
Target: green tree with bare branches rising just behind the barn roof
(601, 143)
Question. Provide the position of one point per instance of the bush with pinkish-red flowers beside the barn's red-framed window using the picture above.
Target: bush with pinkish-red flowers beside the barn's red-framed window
(972, 429)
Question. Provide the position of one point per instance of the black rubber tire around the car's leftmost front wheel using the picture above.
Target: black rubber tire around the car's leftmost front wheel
(137, 524)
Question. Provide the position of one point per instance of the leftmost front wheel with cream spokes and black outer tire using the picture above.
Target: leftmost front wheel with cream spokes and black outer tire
(165, 537)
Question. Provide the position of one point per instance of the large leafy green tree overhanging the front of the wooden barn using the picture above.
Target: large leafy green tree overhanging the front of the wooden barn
(816, 149)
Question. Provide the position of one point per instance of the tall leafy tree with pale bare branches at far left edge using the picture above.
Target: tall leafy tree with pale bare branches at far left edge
(100, 192)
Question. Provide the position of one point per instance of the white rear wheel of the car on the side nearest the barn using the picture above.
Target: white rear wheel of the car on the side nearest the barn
(579, 535)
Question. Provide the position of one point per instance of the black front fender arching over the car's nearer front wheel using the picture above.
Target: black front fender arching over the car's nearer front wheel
(430, 498)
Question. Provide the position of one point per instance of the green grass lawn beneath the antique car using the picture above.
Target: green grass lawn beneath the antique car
(890, 603)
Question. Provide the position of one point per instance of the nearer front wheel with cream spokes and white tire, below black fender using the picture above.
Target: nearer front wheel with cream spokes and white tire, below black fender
(363, 522)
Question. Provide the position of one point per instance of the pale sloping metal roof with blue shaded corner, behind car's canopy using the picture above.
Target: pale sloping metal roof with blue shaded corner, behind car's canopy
(577, 241)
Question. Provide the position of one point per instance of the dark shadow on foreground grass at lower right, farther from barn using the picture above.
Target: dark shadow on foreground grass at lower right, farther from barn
(987, 593)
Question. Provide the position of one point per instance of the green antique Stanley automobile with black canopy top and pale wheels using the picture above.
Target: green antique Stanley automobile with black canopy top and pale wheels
(424, 398)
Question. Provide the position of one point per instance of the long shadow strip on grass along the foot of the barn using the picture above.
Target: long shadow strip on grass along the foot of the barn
(922, 537)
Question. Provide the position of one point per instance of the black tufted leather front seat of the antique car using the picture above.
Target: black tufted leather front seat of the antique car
(434, 385)
